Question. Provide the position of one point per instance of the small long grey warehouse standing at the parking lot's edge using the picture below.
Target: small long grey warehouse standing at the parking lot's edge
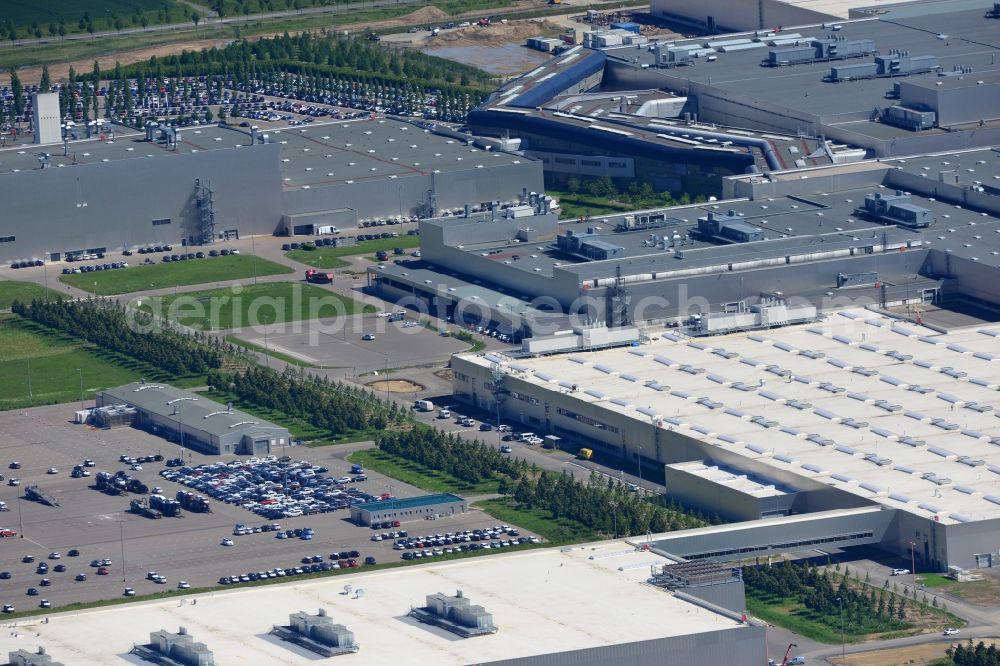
(196, 421)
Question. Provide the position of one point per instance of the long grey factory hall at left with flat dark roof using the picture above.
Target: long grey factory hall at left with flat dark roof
(215, 182)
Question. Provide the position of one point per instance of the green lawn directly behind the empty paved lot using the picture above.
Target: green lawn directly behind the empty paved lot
(270, 303)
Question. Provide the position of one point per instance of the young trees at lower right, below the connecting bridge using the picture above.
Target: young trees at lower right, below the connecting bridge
(865, 609)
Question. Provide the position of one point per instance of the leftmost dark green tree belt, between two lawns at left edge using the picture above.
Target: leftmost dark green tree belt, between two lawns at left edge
(109, 325)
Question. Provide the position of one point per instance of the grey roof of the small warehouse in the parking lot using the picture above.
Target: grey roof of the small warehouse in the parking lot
(190, 410)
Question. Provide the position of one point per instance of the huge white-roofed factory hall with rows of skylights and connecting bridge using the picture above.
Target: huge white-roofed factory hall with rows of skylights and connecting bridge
(858, 429)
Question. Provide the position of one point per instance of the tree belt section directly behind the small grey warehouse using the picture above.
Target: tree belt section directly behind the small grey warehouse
(323, 403)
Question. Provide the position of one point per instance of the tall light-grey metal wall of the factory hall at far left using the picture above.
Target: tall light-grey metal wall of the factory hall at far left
(44, 209)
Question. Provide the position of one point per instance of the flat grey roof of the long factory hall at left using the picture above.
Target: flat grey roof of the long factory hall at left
(312, 156)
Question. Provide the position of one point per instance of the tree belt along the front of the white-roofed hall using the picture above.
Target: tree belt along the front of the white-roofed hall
(602, 503)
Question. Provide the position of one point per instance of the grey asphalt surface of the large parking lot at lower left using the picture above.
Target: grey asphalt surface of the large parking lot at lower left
(188, 548)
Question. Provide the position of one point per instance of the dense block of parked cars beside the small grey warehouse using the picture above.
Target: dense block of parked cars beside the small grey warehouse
(272, 488)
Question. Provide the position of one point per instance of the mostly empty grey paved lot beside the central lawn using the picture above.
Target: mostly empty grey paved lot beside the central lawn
(331, 344)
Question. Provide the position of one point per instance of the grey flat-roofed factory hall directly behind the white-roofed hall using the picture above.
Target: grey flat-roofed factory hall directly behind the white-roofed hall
(780, 248)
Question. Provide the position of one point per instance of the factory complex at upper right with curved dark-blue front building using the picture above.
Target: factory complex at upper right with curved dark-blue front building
(683, 114)
